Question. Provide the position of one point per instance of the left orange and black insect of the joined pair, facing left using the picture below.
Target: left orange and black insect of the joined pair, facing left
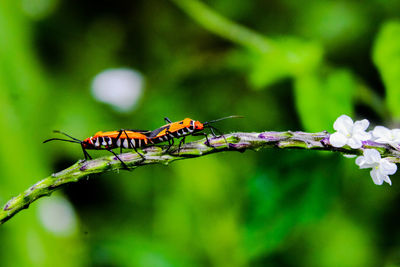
(130, 139)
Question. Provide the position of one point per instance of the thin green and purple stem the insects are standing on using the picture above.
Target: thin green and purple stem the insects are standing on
(156, 155)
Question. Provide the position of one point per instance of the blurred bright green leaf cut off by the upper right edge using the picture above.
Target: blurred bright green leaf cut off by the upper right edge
(386, 56)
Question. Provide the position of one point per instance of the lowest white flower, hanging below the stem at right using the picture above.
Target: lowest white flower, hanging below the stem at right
(381, 168)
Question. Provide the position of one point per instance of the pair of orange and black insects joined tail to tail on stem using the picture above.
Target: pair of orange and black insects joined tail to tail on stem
(133, 139)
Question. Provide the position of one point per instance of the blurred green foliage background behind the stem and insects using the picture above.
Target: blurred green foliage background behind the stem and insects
(282, 64)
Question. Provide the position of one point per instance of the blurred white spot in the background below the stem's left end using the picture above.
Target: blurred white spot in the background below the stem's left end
(57, 216)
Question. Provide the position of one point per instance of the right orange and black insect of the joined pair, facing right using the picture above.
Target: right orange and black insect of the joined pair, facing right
(183, 128)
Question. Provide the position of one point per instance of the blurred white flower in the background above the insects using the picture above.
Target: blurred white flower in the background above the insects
(121, 88)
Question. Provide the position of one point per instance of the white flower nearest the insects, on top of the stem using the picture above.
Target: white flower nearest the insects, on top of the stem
(349, 133)
